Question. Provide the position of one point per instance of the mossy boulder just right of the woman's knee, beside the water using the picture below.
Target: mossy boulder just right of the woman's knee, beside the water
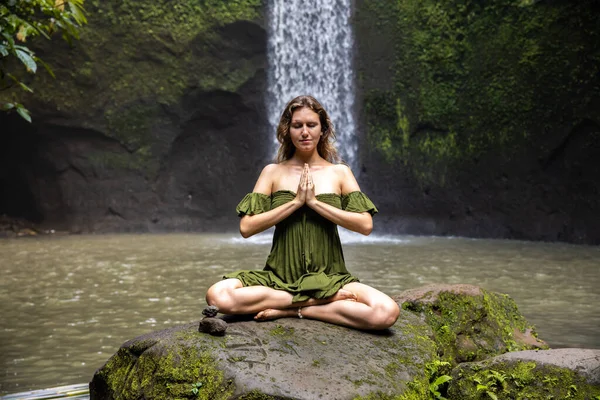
(470, 323)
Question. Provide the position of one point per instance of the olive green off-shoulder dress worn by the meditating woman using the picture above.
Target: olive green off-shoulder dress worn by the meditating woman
(306, 257)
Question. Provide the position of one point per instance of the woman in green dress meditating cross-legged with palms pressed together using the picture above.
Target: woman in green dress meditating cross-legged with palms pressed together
(305, 195)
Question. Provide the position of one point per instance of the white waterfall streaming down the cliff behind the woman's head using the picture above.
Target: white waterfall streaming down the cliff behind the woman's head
(310, 52)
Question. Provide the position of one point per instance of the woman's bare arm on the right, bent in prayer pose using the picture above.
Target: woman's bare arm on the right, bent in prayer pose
(357, 222)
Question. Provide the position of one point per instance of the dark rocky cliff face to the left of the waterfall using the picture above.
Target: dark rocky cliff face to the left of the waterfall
(155, 121)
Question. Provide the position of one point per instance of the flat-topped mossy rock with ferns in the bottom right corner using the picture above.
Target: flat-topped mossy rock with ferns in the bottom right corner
(534, 375)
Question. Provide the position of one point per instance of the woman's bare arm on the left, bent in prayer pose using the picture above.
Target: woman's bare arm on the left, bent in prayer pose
(253, 224)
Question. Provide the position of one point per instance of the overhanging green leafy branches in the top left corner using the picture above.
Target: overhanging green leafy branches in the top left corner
(22, 20)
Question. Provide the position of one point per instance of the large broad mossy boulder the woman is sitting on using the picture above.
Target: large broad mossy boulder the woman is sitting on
(284, 359)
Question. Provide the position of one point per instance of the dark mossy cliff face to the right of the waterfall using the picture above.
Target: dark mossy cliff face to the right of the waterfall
(481, 120)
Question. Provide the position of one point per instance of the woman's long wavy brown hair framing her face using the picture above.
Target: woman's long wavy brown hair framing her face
(325, 147)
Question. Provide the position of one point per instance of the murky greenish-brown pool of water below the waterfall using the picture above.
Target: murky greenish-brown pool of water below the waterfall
(68, 303)
